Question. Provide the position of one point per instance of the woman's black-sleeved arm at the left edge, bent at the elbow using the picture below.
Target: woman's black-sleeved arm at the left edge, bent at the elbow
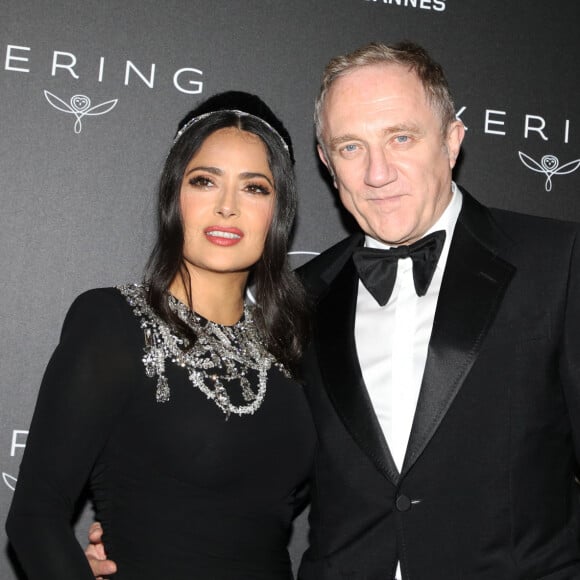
(85, 387)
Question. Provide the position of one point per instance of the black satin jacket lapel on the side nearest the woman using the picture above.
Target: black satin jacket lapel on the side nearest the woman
(339, 365)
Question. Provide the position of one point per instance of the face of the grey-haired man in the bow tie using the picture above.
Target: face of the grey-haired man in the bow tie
(389, 158)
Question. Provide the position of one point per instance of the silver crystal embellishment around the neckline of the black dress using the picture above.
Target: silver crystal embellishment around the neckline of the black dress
(220, 357)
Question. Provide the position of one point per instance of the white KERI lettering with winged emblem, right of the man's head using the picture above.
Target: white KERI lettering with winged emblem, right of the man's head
(497, 122)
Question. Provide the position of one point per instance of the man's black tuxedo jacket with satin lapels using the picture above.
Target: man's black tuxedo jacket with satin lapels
(487, 490)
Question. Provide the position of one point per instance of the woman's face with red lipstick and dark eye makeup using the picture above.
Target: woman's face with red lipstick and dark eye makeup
(227, 201)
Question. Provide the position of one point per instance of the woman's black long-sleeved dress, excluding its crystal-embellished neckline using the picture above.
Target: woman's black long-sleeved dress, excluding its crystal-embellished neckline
(182, 491)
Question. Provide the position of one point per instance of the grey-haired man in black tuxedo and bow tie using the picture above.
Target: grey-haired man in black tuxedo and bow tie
(447, 408)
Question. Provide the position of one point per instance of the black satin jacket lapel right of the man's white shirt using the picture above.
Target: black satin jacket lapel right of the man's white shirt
(474, 283)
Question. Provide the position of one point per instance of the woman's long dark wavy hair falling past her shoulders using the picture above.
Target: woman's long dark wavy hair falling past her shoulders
(281, 312)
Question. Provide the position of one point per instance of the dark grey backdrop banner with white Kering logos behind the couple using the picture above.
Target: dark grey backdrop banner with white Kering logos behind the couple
(92, 91)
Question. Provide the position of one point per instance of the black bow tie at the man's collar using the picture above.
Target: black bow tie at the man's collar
(378, 268)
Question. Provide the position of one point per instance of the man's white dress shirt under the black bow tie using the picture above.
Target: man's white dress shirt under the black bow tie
(392, 340)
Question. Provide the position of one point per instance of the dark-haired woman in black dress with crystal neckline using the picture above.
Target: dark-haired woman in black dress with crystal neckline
(174, 398)
